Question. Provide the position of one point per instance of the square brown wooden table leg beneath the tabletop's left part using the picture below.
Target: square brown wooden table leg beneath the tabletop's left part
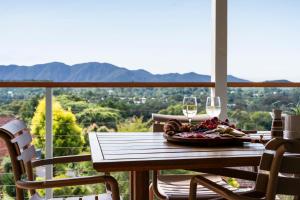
(141, 185)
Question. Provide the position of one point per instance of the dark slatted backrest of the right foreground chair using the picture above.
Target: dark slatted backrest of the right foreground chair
(279, 168)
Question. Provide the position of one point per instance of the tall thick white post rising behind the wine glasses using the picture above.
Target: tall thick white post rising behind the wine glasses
(219, 53)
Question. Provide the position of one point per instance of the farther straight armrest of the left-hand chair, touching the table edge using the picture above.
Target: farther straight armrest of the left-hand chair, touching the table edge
(61, 159)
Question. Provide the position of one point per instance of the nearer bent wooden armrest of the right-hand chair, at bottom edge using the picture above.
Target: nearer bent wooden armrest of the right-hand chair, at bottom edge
(225, 193)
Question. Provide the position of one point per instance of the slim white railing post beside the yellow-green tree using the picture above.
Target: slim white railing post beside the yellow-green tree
(49, 139)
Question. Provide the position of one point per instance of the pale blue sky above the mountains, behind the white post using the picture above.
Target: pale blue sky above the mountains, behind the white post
(157, 35)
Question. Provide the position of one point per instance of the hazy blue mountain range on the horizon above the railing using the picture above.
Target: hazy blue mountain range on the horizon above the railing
(95, 72)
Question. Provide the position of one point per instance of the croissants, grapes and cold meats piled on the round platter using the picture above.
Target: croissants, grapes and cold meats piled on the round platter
(210, 129)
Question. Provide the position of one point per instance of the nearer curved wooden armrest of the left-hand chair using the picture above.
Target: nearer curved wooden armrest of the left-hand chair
(24, 184)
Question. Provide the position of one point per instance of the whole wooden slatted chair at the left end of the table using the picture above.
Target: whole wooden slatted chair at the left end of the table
(22, 154)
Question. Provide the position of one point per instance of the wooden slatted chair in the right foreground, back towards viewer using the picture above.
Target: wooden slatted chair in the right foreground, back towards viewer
(282, 157)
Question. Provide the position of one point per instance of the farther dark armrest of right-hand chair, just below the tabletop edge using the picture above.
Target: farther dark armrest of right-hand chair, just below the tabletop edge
(230, 172)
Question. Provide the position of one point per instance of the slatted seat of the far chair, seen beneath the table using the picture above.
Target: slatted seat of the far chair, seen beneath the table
(177, 186)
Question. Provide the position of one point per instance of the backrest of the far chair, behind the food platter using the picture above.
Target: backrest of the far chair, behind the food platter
(160, 119)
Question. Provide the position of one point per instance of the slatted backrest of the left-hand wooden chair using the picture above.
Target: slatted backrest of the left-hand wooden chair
(18, 141)
